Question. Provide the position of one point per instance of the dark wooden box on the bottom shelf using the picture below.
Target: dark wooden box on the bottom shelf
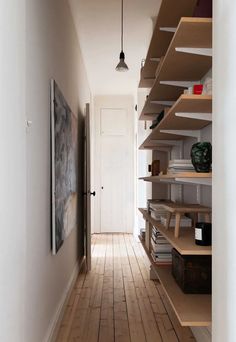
(192, 272)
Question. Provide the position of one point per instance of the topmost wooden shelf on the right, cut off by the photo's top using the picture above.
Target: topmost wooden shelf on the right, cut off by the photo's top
(162, 38)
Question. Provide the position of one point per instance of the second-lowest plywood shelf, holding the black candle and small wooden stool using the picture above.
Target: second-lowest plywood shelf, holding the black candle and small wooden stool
(185, 244)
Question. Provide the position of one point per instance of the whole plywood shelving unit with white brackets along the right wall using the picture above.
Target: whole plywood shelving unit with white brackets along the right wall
(187, 59)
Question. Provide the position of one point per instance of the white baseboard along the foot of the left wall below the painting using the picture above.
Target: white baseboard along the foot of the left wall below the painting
(57, 318)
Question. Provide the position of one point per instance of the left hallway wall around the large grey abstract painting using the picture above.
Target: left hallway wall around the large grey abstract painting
(52, 51)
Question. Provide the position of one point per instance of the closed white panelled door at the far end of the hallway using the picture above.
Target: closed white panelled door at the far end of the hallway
(115, 168)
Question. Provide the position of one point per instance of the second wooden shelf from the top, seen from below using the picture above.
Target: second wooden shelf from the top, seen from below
(180, 66)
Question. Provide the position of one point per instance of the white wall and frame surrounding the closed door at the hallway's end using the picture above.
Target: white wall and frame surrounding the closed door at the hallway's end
(115, 101)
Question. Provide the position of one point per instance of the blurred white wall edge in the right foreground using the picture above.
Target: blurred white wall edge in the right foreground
(224, 180)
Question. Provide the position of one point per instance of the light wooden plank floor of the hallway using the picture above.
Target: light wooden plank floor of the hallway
(117, 301)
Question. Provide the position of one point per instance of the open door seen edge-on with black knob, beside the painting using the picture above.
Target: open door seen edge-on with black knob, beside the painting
(87, 190)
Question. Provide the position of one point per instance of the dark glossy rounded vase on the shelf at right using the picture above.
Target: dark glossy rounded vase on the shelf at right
(201, 156)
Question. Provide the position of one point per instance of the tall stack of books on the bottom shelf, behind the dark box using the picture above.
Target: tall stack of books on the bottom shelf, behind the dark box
(161, 249)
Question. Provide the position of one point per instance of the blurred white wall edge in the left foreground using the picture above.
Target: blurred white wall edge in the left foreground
(12, 170)
